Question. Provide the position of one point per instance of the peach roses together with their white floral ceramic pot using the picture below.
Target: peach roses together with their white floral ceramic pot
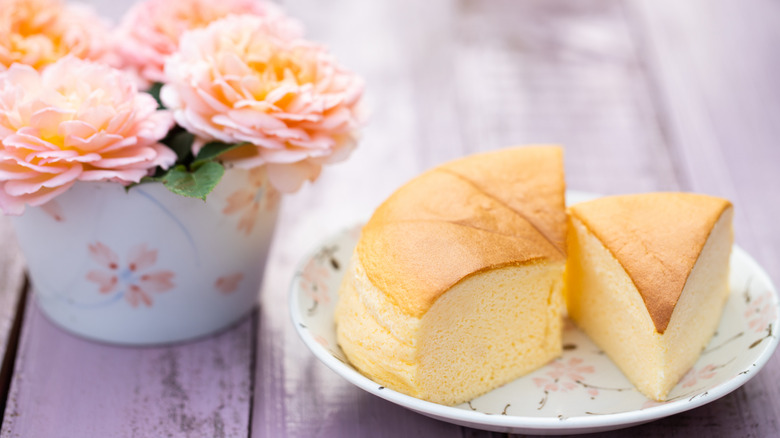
(111, 141)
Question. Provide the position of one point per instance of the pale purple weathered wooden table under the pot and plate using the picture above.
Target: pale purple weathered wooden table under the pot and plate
(645, 95)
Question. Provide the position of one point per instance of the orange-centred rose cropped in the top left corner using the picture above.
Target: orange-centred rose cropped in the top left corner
(39, 32)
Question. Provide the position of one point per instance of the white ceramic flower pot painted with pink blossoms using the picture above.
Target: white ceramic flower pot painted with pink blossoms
(145, 266)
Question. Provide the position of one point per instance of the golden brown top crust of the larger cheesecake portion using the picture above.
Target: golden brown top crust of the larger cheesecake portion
(480, 212)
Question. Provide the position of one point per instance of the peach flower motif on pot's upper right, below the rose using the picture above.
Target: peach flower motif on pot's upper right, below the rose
(248, 201)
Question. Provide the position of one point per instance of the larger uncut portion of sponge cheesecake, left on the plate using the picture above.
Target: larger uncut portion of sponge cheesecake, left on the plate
(455, 286)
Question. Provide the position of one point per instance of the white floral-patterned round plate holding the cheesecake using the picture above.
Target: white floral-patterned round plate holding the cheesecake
(580, 392)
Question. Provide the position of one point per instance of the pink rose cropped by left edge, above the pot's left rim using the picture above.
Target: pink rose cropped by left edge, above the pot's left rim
(75, 120)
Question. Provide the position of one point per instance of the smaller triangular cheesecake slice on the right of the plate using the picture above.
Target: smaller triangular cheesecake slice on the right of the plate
(647, 279)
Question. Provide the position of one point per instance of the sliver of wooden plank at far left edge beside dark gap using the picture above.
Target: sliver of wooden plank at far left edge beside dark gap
(11, 296)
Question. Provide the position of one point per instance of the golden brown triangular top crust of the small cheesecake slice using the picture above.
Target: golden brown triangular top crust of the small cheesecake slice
(656, 237)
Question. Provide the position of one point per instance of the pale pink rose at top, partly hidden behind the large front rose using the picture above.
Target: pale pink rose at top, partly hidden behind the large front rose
(150, 30)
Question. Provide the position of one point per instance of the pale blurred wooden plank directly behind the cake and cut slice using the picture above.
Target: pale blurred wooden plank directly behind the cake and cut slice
(562, 72)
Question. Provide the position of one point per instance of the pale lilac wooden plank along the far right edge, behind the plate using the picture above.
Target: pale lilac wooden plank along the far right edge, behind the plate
(717, 67)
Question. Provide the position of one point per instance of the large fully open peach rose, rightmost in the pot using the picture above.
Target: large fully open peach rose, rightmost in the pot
(239, 81)
